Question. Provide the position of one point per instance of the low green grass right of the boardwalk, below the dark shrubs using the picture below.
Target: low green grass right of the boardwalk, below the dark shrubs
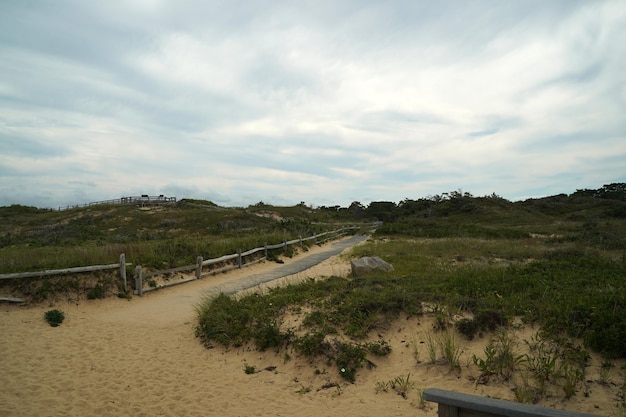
(569, 288)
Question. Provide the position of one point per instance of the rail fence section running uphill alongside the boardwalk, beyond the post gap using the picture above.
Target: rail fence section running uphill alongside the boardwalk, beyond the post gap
(238, 257)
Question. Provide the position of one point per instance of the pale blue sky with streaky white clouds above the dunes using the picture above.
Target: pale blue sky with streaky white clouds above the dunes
(322, 102)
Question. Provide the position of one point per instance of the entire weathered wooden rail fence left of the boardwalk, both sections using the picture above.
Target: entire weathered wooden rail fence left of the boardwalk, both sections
(232, 261)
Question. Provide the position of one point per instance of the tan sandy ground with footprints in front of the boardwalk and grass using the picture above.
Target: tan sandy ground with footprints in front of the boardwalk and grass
(117, 357)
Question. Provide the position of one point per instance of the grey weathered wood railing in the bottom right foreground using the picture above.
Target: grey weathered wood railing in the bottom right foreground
(456, 404)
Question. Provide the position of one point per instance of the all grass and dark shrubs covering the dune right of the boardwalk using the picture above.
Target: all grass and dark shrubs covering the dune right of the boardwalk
(557, 262)
